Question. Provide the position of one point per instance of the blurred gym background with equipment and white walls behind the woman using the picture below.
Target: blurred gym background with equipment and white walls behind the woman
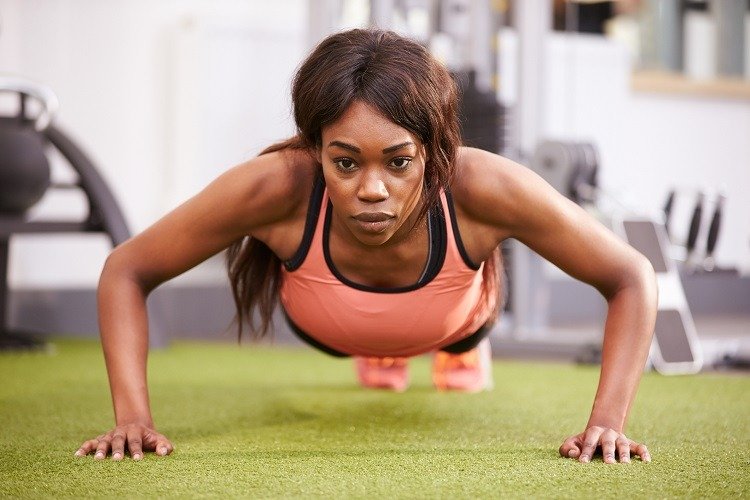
(637, 110)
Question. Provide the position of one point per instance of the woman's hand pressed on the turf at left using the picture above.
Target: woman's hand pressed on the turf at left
(136, 438)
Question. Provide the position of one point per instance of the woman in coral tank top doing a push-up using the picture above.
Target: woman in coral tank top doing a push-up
(378, 233)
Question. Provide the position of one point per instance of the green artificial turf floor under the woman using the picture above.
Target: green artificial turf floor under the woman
(283, 422)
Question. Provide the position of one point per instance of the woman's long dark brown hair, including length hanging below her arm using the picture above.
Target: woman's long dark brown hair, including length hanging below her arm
(394, 75)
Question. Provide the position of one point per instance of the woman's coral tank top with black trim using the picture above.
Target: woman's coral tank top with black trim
(446, 305)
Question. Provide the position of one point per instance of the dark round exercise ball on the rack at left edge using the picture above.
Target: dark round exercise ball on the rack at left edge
(24, 169)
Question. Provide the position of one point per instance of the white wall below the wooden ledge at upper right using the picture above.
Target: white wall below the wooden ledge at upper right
(650, 143)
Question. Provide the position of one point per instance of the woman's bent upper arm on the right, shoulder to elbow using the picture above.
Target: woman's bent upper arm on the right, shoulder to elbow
(516, 203)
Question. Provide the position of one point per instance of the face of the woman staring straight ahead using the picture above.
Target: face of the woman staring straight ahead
(374, 172)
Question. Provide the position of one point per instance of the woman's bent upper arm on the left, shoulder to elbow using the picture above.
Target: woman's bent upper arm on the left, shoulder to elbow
(246, 200)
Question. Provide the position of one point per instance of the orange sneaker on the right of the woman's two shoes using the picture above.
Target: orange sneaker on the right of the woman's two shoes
(470, 371)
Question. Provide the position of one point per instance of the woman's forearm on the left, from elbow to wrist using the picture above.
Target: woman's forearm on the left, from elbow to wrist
(123, 323)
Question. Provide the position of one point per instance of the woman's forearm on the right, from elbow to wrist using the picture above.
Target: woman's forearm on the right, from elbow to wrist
(627, 339)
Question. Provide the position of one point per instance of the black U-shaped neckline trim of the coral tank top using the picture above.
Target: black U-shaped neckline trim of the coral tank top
(436, 258)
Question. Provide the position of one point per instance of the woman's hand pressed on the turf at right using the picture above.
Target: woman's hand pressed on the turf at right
(614, 445)
